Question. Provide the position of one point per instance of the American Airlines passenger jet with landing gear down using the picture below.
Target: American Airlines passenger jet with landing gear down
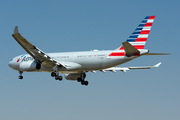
(75, 65)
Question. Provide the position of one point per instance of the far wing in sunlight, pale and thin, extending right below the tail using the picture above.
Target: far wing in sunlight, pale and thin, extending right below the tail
(124, 69)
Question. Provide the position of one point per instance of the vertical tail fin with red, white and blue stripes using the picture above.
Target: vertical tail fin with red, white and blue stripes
(140, 35)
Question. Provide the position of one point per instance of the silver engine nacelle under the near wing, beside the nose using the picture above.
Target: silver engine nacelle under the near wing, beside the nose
(29, 66)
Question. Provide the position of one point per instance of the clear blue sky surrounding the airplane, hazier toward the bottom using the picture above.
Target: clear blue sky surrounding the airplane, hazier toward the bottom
(84, 25)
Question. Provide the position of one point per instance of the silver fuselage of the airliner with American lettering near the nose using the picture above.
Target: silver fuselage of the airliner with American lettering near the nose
(76, 62)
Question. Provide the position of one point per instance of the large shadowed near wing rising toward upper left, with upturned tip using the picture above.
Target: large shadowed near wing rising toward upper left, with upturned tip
(35, 52)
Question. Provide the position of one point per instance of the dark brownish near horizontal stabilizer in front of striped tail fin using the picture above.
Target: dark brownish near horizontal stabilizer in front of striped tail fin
(129, 49)
